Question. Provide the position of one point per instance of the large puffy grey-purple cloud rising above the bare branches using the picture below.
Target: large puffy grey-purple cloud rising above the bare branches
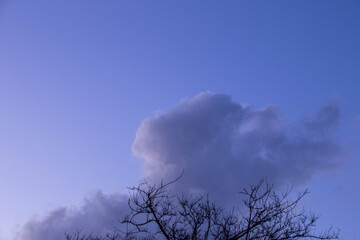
(223, 146)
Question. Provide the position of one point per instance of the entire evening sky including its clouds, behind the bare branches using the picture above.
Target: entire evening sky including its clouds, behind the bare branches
(96, 95)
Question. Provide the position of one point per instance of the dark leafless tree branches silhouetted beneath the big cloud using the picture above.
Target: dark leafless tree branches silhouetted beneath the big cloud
(157, 213)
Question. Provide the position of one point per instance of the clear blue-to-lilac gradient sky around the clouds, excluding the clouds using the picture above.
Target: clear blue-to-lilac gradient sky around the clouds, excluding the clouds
(77, 78)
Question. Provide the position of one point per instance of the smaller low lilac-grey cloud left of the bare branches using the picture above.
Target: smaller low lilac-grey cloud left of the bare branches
(98, 215)
